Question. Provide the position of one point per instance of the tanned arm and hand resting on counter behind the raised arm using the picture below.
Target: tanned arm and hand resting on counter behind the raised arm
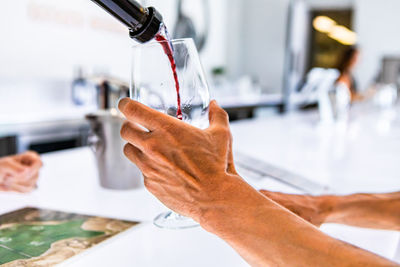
(378, 211)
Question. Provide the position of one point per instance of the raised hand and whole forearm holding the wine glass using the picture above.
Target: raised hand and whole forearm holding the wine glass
(192, 172)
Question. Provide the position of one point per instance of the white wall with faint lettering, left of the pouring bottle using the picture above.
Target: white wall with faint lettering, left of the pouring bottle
(42, 39)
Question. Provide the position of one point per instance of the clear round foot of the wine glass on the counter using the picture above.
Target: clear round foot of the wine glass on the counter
(174, 221)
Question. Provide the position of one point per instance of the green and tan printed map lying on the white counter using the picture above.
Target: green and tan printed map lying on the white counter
(37, 237)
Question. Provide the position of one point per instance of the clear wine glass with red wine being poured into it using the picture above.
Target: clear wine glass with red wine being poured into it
(153, 84)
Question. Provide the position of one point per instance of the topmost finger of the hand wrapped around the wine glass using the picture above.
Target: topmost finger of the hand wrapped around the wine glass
(143, 115)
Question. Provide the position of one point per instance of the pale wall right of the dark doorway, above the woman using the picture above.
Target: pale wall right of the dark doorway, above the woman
(377, 24)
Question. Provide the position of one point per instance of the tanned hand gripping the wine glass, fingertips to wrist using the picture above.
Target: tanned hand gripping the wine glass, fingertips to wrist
(193, 152)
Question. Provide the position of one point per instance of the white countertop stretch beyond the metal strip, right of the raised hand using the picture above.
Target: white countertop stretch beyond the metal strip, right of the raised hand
(361, 156)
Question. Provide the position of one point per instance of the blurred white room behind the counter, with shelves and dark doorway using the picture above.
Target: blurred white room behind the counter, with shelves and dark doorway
(261, 57)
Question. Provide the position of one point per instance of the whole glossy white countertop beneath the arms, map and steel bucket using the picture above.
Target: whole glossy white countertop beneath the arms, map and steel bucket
(362, 158)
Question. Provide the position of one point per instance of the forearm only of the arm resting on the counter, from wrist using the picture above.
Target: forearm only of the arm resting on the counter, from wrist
(381, 211)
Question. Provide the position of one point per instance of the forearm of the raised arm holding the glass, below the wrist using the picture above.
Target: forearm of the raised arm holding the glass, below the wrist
(265, 234)
